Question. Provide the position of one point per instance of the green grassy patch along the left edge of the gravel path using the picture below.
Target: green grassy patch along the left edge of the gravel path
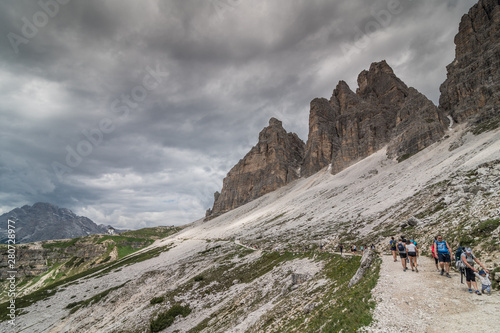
(333, 307)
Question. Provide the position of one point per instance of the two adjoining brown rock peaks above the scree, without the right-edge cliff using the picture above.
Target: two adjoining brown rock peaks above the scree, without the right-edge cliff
(343, 130)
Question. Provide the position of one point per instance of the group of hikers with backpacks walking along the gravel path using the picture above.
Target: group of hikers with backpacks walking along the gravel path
(441, 251)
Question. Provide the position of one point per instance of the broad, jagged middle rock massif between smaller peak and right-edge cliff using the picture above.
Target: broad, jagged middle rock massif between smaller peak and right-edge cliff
(383, 111)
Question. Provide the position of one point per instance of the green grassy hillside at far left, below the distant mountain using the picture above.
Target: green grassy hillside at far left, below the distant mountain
(60, 262)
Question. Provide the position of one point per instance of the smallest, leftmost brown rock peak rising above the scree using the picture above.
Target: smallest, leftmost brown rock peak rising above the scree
(272, 163)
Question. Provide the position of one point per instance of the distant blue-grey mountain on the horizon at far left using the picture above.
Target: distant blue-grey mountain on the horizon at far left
(44, 221)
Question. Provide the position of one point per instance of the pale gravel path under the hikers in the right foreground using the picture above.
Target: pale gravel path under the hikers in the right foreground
(428, 302)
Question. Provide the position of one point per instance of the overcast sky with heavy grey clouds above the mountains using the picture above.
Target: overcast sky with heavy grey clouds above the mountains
(132, 112)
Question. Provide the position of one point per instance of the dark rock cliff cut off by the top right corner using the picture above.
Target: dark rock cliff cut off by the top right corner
(472, 85)
